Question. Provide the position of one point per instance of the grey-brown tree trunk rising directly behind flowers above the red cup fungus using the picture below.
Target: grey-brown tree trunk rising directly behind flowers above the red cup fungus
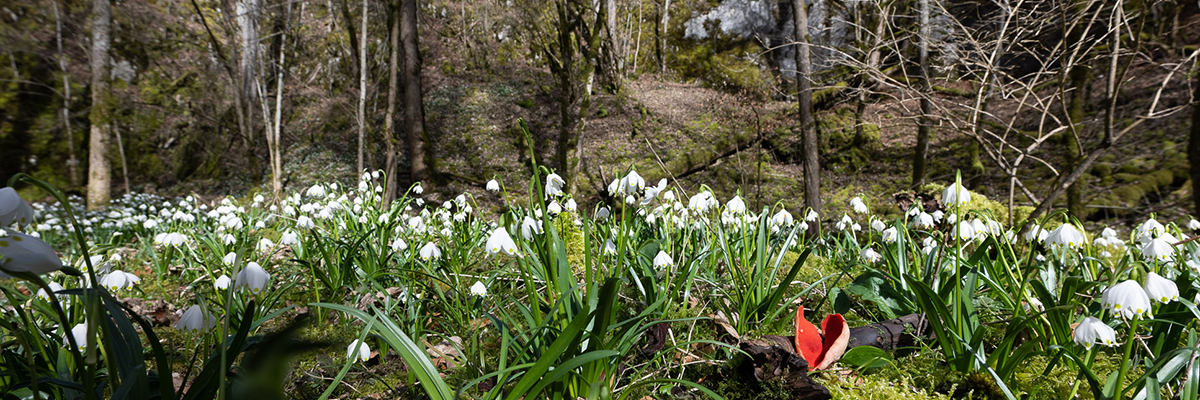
(805, 92)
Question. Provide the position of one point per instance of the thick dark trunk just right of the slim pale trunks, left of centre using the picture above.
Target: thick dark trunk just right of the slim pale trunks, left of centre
(415, 109)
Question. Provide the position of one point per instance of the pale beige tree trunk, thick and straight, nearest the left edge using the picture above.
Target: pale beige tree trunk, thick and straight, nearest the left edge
(99, 175)
